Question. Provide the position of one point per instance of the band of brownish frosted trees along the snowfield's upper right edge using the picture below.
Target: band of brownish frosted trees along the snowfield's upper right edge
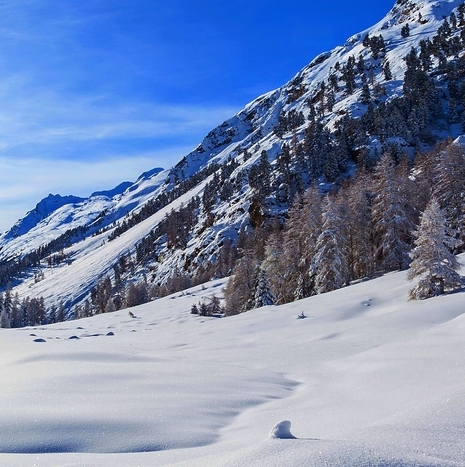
(366, 228)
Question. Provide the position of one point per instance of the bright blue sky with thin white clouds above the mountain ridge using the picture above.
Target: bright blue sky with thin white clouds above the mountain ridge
(94, 92)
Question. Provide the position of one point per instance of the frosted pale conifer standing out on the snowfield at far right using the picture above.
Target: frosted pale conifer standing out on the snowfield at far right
(432, 259)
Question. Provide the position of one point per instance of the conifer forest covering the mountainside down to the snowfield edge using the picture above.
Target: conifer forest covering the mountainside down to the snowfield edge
(338, 203)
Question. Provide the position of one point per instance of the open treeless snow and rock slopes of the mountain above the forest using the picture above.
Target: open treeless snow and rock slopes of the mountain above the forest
(252, 129)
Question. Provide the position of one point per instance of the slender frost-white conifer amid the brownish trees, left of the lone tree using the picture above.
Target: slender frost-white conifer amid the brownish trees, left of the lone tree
(329, 265)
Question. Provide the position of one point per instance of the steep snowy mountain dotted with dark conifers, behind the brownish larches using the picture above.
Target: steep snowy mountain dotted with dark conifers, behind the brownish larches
(337, 113)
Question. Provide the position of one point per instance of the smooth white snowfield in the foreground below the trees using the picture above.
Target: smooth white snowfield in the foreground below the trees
(367, 379)
